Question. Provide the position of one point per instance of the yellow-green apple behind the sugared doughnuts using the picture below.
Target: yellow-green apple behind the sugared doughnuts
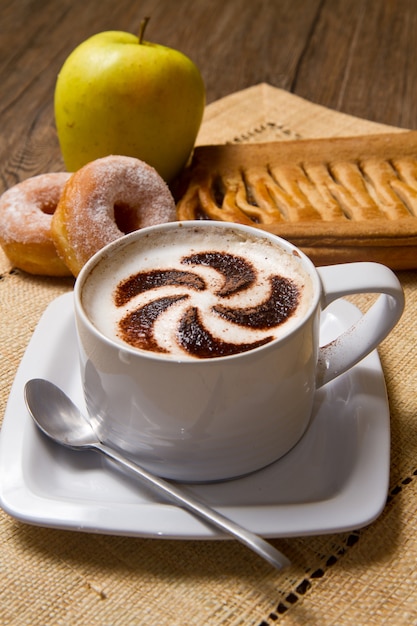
(118, 94)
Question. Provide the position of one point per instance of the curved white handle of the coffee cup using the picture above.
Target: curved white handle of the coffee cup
(372, 327)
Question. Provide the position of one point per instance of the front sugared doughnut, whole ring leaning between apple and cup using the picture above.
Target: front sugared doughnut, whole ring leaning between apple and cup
(105, 199)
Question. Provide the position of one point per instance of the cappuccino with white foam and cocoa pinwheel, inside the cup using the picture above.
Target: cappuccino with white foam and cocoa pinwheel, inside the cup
(197, 294)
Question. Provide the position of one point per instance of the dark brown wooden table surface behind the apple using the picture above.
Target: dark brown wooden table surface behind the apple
(355, 56)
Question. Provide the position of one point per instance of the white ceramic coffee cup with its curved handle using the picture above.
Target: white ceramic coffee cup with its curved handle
(206, 419)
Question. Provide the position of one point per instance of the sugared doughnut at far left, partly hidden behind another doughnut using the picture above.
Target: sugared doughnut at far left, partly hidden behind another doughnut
(25, 224)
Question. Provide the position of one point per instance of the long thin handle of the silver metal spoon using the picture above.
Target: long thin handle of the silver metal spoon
(193, 504)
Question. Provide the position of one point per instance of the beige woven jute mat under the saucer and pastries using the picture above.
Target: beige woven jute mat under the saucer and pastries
(364, 577)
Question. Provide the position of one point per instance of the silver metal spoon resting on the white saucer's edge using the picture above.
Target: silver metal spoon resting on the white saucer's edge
(58, 417)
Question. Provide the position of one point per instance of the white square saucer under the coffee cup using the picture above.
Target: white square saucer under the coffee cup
(335, 479)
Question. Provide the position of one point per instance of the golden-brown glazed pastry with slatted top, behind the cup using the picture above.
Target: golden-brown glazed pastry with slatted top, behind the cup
(338, 199)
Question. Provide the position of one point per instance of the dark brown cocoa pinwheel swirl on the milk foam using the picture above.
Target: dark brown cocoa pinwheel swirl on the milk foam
(137, 327)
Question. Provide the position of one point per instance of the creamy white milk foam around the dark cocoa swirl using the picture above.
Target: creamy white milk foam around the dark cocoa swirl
(166, 250)
